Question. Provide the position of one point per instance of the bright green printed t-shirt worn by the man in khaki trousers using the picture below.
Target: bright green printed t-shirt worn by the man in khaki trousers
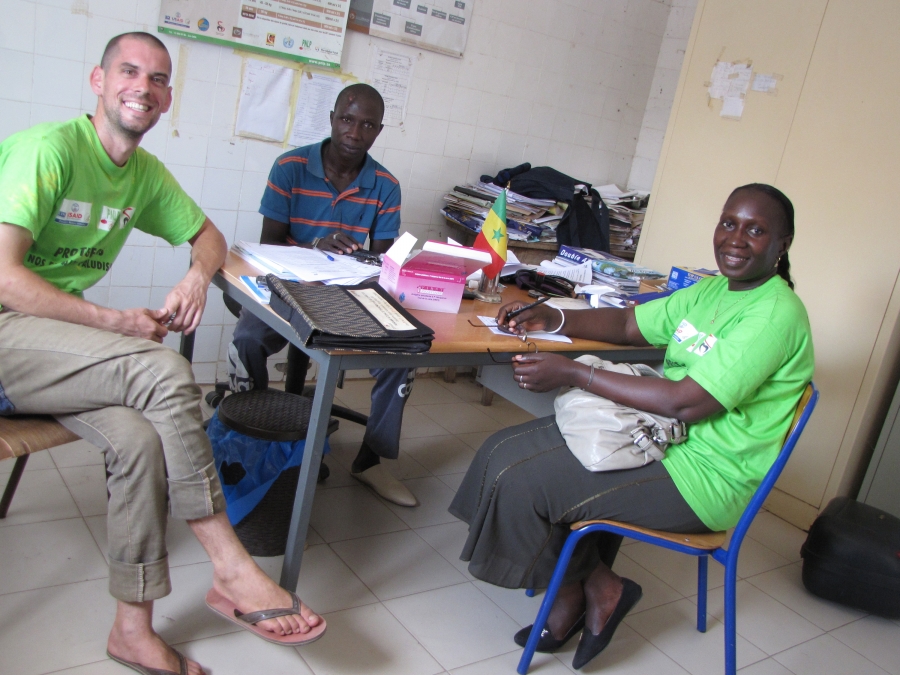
(57, 181)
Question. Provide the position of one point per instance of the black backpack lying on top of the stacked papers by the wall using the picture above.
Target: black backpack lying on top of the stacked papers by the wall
(586, 221)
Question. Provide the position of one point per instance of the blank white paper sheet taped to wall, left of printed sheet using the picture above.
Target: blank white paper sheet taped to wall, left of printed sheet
(264, 101)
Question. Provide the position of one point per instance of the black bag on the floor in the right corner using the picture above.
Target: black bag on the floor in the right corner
(852, 556)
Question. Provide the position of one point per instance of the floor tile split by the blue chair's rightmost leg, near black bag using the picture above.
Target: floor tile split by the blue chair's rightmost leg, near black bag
(764, 621)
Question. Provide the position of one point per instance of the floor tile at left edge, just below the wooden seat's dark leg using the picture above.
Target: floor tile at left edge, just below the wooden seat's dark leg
(48, 554)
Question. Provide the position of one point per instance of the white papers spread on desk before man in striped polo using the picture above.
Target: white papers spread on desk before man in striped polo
(305, 264)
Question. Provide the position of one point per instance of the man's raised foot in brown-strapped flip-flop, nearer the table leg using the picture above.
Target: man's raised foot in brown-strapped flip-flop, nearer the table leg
(251, 591)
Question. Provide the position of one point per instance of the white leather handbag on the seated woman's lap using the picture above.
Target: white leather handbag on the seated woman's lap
(607, 436)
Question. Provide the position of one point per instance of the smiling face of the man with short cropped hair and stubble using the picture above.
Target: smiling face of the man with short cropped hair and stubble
(134, 87)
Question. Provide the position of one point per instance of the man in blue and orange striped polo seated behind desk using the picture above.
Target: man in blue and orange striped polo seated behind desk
(333, 196)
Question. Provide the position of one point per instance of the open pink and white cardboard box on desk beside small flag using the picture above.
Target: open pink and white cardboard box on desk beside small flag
(431, 279)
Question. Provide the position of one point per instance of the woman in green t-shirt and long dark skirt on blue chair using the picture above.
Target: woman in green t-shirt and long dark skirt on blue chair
(738, 357)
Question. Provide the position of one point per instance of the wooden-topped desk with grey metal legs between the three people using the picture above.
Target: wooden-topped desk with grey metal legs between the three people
(457, 343)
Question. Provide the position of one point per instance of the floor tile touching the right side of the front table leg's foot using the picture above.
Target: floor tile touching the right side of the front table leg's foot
(326, 583)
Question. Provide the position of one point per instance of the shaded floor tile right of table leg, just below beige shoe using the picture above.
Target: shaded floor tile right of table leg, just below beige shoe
(352, 512)
